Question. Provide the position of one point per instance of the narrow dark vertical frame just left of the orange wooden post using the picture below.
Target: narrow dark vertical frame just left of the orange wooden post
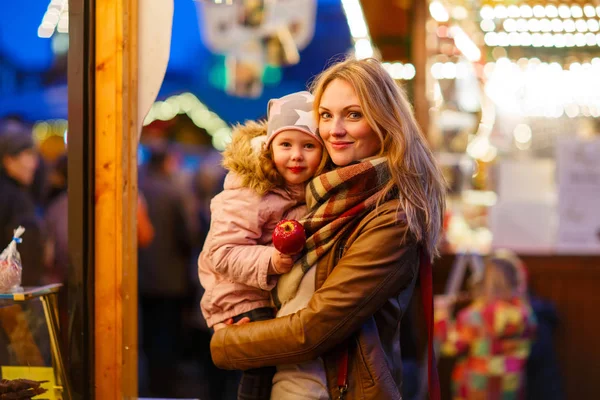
(81, 149)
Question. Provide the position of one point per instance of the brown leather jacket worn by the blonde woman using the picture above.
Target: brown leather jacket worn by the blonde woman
(358, 304)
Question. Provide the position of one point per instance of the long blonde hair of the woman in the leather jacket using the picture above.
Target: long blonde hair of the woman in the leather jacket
(416, 178)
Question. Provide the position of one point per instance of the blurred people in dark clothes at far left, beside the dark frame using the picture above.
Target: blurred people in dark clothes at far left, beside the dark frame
(33, 190)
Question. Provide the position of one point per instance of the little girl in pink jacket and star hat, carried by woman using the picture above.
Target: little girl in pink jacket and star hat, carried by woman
(269, 166)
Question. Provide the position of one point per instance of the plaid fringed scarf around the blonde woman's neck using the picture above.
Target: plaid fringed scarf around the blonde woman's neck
(337, 200)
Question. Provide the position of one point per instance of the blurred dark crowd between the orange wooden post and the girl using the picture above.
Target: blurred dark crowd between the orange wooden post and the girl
(174, 340)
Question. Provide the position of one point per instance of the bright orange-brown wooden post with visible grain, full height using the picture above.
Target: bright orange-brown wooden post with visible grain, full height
(116, 199)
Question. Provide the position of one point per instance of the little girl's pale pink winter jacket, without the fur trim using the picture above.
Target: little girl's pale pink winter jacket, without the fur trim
(235, 259)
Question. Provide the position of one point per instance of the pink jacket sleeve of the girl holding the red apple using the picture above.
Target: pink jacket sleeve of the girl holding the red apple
(233, 247)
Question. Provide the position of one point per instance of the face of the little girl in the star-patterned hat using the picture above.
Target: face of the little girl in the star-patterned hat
(296, 156)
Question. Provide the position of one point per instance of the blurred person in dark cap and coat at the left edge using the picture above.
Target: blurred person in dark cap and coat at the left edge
(18, 163)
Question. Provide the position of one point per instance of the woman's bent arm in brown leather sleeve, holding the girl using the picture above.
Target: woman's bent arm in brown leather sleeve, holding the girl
(377, 266)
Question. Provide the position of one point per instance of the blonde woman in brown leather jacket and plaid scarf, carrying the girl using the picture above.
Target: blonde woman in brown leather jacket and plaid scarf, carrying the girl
(370, 220)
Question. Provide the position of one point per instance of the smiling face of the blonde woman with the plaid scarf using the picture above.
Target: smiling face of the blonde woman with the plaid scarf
(343, 127)
